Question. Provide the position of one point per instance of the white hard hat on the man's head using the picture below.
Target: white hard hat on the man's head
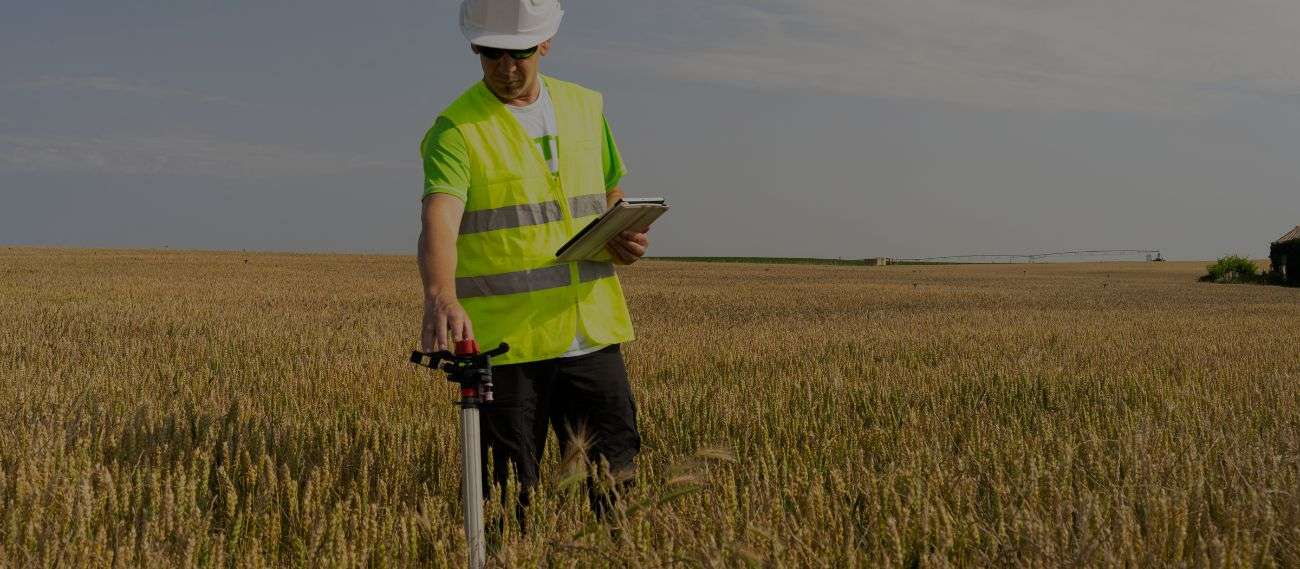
(510, 24)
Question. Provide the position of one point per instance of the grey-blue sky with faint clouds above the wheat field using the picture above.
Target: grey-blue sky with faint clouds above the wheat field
(775, 128)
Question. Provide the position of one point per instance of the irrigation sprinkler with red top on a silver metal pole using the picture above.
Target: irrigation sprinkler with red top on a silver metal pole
(473, 372)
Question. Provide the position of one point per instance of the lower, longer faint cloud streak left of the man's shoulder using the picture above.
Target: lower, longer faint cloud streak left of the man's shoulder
(176, 155)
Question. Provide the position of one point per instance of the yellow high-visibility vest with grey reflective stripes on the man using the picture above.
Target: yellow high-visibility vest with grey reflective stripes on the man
(518, 214)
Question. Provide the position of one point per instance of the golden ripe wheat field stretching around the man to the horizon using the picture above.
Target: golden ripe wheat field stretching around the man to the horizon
(254, 410)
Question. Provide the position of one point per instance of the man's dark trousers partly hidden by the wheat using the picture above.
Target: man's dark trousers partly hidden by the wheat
(586, 397)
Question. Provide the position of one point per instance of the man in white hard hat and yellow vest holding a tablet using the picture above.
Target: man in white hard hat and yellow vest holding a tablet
(514, 168)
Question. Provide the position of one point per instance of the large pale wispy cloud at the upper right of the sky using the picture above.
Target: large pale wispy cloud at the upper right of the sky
(1151, 57)
